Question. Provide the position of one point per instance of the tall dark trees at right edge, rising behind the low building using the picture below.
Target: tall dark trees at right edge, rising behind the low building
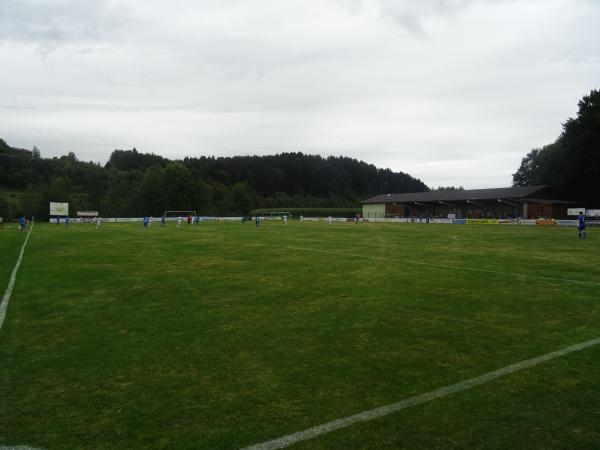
(571, 164)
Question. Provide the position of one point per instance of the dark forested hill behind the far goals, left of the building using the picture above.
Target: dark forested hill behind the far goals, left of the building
(132, 183)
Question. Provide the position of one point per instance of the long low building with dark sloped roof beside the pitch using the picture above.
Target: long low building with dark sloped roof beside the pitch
(529, 202)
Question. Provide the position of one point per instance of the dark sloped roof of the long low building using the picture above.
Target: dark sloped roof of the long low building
(473, 194)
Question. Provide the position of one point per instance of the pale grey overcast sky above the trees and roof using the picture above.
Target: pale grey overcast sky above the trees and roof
(454, 92)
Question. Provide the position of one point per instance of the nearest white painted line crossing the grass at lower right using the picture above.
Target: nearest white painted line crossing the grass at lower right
(365, 416)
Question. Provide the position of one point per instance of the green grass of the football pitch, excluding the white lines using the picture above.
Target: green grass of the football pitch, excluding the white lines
(221, 336)
